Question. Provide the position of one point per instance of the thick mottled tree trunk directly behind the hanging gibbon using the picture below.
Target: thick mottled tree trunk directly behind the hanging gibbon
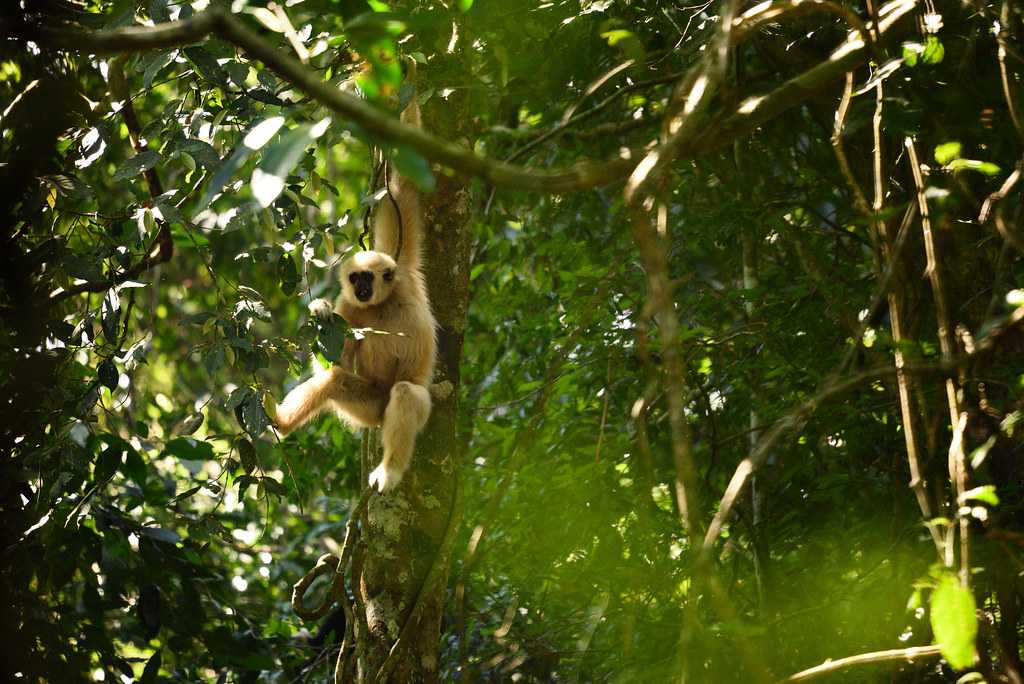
(408, 528)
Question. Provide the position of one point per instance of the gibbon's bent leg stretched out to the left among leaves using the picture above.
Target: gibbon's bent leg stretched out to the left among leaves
(361, 403)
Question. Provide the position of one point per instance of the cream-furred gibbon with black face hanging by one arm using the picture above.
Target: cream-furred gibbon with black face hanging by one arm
(381, 379)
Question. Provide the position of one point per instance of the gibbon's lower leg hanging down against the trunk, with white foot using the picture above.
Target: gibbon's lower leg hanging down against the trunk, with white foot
(405, 416)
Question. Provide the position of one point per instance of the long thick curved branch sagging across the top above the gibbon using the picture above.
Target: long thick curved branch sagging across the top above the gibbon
(586, 175)
